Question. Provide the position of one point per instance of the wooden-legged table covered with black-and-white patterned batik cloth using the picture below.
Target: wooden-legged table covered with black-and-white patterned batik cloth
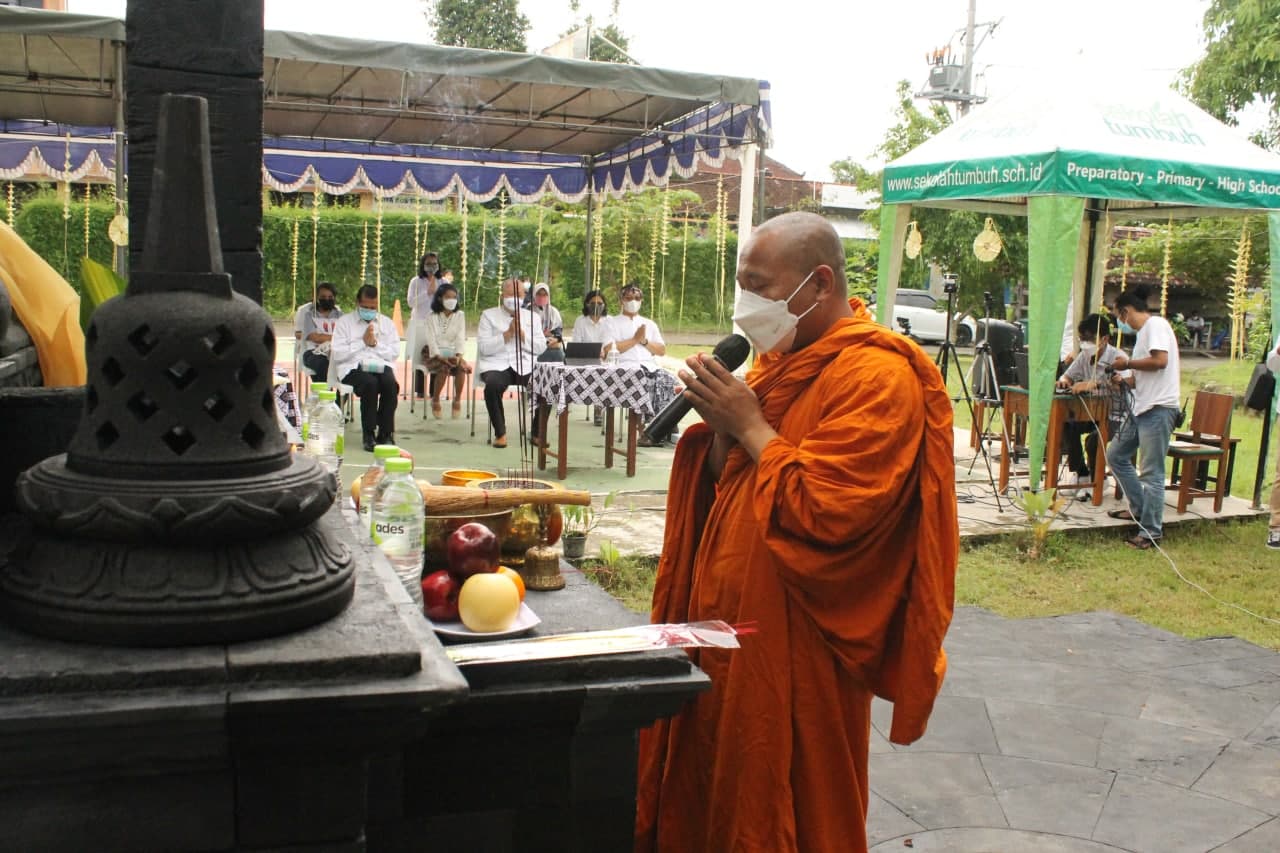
(642, 393)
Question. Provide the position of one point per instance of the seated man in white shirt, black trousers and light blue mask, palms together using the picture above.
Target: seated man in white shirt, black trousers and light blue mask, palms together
(365, 350)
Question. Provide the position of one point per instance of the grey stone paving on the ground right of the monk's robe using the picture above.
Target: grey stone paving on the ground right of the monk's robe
(1086, 733)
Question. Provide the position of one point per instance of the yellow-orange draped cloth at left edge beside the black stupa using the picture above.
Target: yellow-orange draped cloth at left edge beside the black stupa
(47, 307)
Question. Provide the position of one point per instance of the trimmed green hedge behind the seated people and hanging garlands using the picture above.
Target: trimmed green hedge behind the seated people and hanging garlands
(341, 234)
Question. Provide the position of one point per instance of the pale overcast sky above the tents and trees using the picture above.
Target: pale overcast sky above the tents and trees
(833, 66)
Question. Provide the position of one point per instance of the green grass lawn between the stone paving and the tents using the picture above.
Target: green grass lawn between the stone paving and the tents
(1090, 571)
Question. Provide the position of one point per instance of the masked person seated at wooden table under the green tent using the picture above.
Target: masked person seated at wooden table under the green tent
(1091, 375)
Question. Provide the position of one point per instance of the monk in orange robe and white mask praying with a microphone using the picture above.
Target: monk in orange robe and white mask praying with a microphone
(816, 501)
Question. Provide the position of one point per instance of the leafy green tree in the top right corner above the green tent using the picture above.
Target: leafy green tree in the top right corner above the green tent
(1241, 62)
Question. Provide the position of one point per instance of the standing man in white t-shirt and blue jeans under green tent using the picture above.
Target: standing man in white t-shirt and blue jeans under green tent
(1156, 382)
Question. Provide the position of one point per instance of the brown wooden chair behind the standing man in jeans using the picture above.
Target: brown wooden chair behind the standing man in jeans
(1208, 441)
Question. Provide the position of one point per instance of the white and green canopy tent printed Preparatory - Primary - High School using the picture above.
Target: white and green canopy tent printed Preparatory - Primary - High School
(1063, 161)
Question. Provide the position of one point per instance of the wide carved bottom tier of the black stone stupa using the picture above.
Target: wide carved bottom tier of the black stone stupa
(156, 595)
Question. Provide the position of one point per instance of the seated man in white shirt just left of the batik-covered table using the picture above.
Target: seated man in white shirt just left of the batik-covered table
(509, 341)
